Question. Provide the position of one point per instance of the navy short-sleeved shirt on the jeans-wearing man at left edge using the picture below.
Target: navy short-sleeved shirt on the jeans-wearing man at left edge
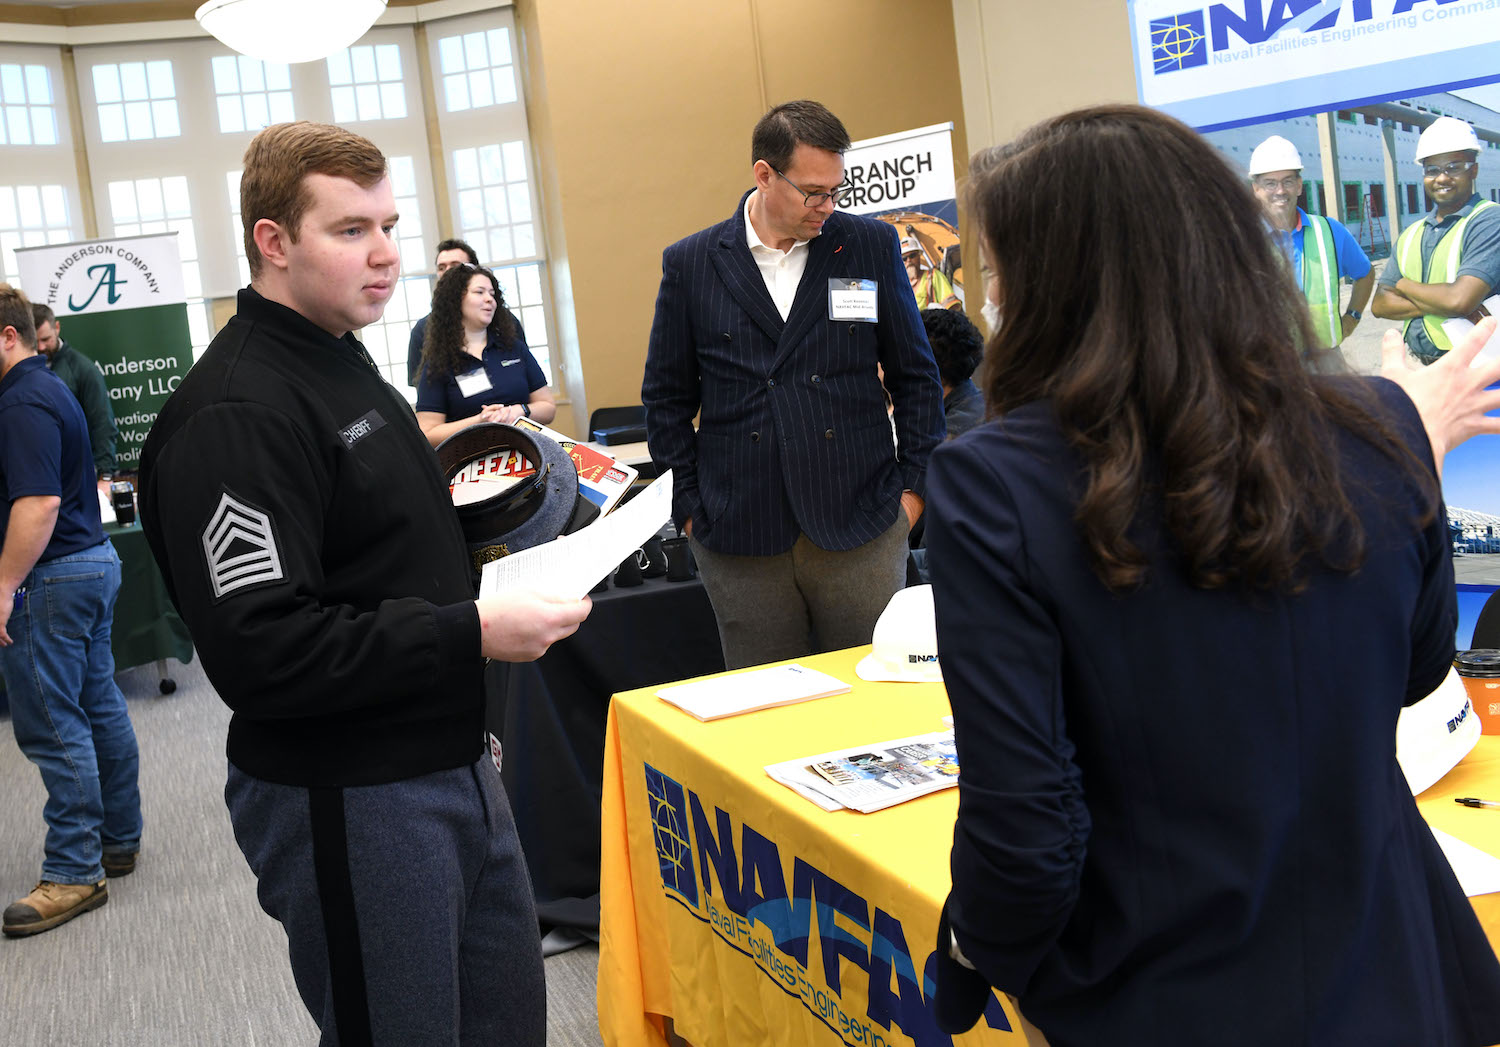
(44, 451)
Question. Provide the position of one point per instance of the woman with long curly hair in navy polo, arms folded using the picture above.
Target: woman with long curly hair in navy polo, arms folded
(475, 361)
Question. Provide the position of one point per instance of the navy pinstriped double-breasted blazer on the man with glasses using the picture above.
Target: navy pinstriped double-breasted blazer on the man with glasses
(793, 433)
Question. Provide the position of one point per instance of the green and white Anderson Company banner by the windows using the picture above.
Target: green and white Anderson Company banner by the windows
(122, 305)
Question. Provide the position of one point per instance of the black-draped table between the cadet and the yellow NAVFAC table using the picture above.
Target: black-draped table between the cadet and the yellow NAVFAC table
(550, 718)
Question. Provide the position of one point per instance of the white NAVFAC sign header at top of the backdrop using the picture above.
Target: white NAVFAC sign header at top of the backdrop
(1222, 65)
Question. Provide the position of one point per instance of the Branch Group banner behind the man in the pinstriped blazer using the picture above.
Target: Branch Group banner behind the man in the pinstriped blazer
(907, 181)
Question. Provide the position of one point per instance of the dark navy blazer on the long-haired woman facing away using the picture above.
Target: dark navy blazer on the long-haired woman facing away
(1181, 818)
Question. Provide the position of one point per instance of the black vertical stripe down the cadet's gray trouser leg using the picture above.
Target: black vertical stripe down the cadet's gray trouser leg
(331, 865)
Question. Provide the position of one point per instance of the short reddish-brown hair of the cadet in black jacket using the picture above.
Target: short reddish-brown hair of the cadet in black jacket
(278, 163)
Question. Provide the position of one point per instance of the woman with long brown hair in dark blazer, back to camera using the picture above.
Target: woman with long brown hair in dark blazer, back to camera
(1184, 589)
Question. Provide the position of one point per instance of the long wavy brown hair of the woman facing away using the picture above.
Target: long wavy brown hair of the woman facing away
(1144, 298)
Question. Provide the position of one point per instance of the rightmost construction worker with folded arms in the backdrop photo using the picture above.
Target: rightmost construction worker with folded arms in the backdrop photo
(1445, 265)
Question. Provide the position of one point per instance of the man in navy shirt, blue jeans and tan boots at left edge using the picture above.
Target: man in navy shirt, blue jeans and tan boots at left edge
(59, 578)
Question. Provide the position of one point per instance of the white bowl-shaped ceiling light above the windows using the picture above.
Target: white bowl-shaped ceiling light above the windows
(289, 31)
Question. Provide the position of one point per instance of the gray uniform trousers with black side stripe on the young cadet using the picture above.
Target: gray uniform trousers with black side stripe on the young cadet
(407, 907)
